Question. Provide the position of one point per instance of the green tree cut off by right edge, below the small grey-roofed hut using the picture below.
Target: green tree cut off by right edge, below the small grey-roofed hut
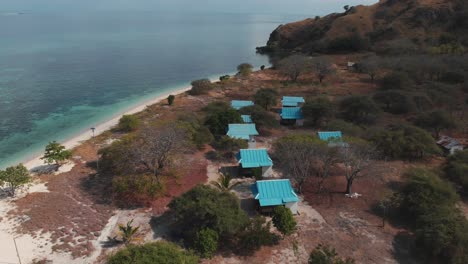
(457, 168)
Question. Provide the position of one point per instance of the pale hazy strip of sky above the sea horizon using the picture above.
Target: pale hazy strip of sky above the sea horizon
(312, 7)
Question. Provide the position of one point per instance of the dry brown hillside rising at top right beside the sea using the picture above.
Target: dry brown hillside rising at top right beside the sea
(421, 22)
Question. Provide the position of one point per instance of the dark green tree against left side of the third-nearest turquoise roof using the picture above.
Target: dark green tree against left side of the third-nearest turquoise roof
(218, 121)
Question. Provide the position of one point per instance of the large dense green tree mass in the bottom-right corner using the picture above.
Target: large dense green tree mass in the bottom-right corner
(429, 205)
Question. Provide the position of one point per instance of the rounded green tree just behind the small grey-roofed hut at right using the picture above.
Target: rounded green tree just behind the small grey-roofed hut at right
(435, 121)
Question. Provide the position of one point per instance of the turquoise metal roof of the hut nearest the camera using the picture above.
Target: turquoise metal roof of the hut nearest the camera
(274, 192)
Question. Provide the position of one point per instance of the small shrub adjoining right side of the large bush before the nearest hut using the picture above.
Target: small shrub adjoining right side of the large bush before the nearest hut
(255, 235)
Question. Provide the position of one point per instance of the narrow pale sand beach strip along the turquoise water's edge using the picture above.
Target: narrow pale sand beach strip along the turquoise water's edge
(76, 140)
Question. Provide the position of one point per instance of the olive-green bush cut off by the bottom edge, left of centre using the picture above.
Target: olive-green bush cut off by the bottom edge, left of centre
(155, 252)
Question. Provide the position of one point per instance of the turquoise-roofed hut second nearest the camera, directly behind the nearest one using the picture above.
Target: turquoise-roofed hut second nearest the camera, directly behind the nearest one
(251, 159)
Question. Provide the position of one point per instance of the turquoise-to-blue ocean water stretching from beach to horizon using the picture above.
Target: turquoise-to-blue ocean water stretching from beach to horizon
(64, 72)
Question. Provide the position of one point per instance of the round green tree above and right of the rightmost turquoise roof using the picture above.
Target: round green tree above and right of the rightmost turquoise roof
(358, 109)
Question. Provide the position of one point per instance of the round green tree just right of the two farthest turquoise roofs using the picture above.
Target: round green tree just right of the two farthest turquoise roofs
(318, 111)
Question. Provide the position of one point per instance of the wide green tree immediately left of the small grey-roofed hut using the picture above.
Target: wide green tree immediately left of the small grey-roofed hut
(404, 142)
